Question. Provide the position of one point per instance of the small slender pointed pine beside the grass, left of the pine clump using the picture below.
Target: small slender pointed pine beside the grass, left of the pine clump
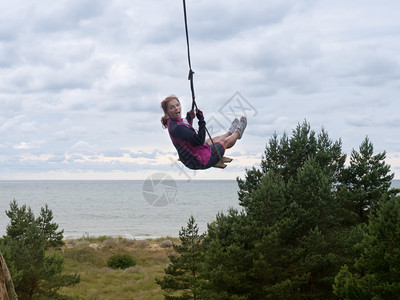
(182, 279)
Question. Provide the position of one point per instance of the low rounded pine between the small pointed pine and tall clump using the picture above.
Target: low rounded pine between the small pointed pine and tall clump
(226, 258)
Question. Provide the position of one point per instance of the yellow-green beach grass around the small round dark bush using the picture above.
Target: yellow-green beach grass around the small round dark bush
(88, 257)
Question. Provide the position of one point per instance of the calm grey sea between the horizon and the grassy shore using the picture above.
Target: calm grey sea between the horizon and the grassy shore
(138, 209)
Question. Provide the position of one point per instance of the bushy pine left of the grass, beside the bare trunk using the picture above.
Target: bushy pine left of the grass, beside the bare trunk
(35, 272)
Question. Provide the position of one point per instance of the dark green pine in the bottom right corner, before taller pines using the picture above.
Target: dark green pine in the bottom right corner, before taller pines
(377, 272)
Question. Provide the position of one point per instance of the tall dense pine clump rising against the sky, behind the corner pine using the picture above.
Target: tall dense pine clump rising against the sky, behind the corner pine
(303, 214)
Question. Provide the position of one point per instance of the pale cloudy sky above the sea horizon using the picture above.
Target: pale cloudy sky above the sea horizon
(81, 81)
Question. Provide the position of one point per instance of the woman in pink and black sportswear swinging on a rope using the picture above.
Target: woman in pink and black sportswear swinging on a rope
(194, 151)
